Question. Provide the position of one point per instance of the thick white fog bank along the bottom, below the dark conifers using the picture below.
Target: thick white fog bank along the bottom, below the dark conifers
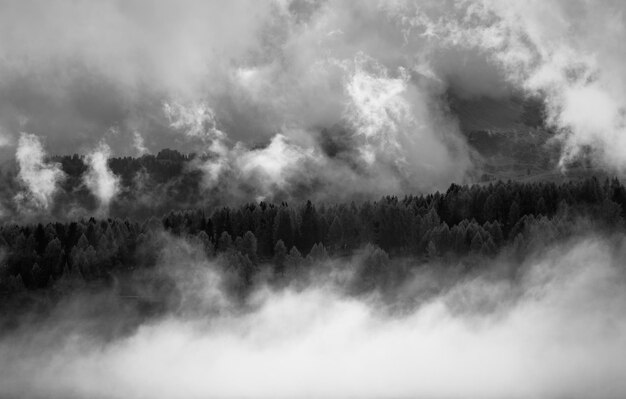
(550, 327)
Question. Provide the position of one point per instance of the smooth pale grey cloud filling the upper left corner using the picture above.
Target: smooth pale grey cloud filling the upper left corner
(79, 69)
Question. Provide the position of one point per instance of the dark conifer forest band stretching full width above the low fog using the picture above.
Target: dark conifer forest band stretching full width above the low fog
(282, 239)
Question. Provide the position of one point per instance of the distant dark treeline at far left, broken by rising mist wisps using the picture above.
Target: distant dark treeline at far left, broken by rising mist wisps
(148, 185)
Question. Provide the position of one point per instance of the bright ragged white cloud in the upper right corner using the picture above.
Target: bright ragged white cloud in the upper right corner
(566, 51)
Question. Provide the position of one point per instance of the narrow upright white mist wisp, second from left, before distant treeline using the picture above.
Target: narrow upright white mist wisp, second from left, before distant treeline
(99, 178)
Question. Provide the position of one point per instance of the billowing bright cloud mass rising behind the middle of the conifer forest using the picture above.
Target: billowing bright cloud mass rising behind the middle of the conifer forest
(396, 140)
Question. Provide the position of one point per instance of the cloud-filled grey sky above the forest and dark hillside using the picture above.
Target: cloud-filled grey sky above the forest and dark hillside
(255, 83)
